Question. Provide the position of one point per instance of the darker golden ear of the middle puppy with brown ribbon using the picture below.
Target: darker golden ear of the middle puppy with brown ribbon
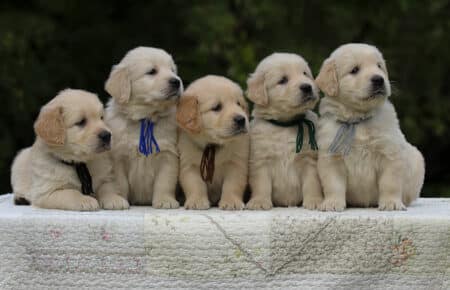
(188, 114)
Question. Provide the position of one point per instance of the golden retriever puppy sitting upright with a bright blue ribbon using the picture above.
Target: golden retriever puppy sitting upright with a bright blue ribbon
(145, 88)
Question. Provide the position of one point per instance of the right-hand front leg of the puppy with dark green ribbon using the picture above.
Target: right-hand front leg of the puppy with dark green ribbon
(311, 187)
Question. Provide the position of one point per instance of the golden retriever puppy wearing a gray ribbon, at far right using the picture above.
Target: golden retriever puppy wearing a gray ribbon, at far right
(364, 158)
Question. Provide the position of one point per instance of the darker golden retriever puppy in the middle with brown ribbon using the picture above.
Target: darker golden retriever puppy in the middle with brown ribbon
(213, 144)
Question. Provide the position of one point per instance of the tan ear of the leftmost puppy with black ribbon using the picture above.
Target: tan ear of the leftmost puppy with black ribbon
(49, 126)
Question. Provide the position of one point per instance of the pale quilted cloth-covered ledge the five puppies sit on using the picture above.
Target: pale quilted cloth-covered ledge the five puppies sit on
(280, 248)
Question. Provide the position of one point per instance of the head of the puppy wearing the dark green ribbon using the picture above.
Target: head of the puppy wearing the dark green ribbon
(282, 86)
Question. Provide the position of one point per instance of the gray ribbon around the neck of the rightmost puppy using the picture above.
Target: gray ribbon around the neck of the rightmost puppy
(342, 142)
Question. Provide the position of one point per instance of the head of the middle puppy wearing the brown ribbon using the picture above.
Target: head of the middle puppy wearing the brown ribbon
(214, 108)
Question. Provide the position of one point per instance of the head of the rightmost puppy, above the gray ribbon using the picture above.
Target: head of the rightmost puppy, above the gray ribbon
(356, 75)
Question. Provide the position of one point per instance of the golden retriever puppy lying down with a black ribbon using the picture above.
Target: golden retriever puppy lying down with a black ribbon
(66, 167)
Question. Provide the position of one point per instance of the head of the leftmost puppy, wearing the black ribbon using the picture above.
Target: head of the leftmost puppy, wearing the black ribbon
(72, 125)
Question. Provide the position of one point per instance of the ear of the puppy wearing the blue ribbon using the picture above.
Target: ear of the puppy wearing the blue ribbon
(118, 84)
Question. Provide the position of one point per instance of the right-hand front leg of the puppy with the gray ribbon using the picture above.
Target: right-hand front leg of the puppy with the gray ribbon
(390, 185)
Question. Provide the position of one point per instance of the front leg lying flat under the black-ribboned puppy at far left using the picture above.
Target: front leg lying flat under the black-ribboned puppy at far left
(67, 199)
